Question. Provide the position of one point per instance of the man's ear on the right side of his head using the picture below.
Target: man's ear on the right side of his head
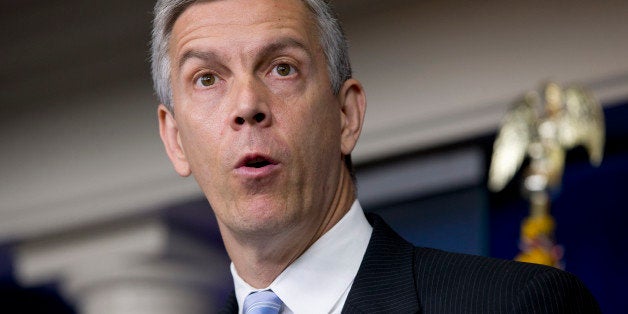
(353, 106)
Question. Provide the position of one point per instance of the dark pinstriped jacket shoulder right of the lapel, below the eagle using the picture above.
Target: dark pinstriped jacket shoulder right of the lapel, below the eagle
(460, 283)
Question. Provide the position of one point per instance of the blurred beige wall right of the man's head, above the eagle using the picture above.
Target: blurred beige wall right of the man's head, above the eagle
(437, 71)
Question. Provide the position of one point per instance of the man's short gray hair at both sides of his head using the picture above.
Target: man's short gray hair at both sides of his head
(332, 41)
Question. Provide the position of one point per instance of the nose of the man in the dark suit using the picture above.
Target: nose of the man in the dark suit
(250, 105)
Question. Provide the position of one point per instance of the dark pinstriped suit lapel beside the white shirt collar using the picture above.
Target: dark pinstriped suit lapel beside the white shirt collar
(385, 281)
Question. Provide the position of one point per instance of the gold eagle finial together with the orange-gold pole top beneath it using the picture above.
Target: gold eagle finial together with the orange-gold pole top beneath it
(543, 128)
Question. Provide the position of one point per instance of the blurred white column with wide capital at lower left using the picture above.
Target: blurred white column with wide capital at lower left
(144, 266)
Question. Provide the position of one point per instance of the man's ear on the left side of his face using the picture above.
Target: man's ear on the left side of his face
(169, 132)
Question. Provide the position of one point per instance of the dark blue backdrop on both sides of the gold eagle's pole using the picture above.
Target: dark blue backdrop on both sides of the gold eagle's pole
(591, 213)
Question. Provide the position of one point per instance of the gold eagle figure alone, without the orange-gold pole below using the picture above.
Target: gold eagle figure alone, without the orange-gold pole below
(543, 128)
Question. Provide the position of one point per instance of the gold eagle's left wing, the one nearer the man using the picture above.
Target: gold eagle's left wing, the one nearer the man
(515, 134)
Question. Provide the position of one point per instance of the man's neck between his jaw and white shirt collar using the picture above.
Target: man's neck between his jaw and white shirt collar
(259, 262)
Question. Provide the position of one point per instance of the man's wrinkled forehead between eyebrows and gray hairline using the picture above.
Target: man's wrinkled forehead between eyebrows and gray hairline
(238, 21)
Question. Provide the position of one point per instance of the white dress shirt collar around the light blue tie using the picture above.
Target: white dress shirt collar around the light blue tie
(320, 279)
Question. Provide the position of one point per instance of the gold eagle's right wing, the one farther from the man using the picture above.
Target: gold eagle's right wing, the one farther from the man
(582, 123)
